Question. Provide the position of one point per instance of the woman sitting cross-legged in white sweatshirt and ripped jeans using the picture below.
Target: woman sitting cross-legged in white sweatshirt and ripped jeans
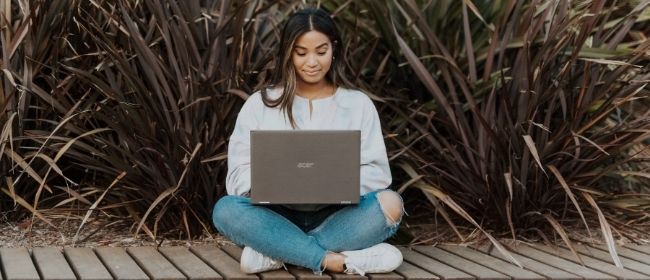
(308, 91)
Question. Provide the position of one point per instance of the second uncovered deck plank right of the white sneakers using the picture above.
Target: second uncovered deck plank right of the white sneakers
(463, 264)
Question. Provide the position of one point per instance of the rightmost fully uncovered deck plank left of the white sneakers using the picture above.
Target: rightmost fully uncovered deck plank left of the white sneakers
(221, 262)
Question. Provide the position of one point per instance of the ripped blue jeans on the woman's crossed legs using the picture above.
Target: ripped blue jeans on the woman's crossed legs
(303, 238)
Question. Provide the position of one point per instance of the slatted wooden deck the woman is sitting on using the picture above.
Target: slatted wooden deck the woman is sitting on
(420, 262)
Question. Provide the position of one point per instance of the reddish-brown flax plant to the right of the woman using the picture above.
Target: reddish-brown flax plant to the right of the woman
(534, 111)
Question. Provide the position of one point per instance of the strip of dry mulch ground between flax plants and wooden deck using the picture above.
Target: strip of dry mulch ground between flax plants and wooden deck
(103, 231)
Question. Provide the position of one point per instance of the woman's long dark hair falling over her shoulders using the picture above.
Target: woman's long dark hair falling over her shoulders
(284, 74)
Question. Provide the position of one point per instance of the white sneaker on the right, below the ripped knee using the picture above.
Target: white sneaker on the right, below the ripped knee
(380, 258)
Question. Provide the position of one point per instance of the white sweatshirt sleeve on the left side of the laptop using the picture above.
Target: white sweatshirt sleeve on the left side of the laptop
(238, 179)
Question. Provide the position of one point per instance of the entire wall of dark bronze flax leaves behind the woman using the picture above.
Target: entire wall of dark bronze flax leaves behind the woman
(521, 118)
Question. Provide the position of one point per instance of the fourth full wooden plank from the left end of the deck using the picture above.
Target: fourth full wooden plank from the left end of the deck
(120, 264)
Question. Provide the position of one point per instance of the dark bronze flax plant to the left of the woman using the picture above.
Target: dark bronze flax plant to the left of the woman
(129, 104)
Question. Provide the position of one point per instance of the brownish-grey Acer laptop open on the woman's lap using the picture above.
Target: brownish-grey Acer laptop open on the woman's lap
(305, 166)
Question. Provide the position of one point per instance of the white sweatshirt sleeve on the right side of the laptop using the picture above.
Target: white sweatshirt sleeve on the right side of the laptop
(375, 171)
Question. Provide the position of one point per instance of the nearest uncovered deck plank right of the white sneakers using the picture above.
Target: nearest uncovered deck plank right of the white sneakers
(441, 270)
